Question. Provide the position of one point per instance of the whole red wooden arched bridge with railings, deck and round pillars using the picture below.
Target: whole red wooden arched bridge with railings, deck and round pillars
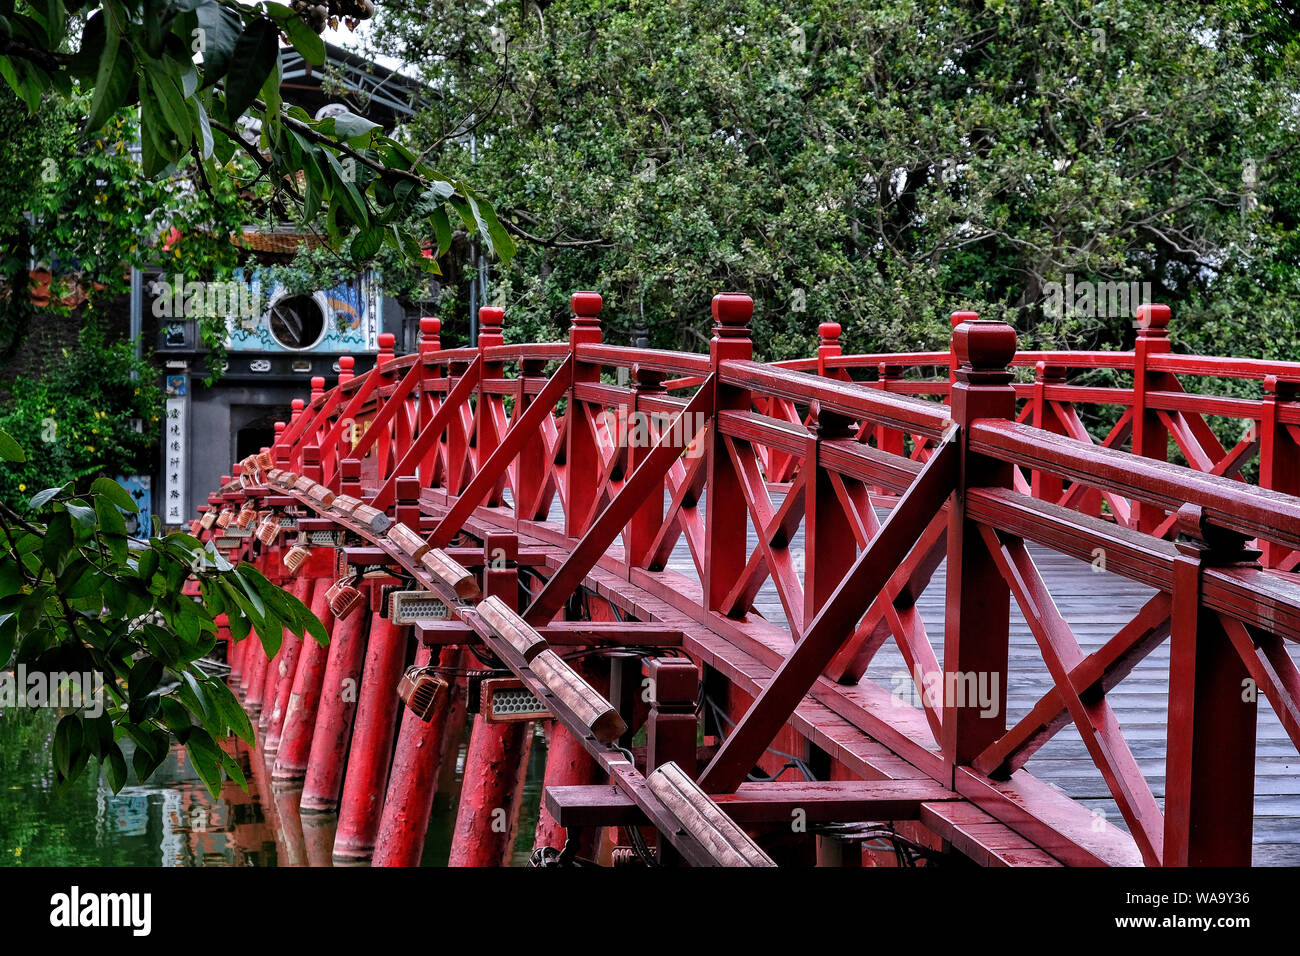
(856, 609)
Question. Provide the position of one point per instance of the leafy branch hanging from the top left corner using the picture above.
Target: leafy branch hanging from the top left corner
(341, 170)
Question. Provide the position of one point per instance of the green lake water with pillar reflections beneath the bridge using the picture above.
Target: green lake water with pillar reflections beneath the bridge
(174, 821)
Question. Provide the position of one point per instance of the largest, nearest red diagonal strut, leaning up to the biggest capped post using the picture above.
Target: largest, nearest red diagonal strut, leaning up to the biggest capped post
(834, 624)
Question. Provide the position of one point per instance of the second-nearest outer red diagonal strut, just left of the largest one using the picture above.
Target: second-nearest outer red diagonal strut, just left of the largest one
(619, 512)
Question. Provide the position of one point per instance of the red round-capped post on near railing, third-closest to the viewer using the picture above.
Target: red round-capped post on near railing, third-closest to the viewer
(582, 456)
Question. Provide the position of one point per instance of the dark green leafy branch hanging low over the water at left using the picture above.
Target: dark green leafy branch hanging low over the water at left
(79, 595)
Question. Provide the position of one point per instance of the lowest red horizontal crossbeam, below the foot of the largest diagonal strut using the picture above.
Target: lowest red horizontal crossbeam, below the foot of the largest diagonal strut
(840, 802)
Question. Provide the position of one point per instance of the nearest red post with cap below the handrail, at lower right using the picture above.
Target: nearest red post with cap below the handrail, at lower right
(1210, 763)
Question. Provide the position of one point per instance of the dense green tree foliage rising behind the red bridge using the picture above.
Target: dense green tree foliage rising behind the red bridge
(878, 163)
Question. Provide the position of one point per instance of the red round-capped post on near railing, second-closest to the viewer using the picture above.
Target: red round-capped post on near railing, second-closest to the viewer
(729, 521)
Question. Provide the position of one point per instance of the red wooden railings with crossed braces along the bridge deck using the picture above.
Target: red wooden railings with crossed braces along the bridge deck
(709, 451)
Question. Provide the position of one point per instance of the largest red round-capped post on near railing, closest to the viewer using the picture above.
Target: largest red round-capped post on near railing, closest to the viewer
(977, 620)
